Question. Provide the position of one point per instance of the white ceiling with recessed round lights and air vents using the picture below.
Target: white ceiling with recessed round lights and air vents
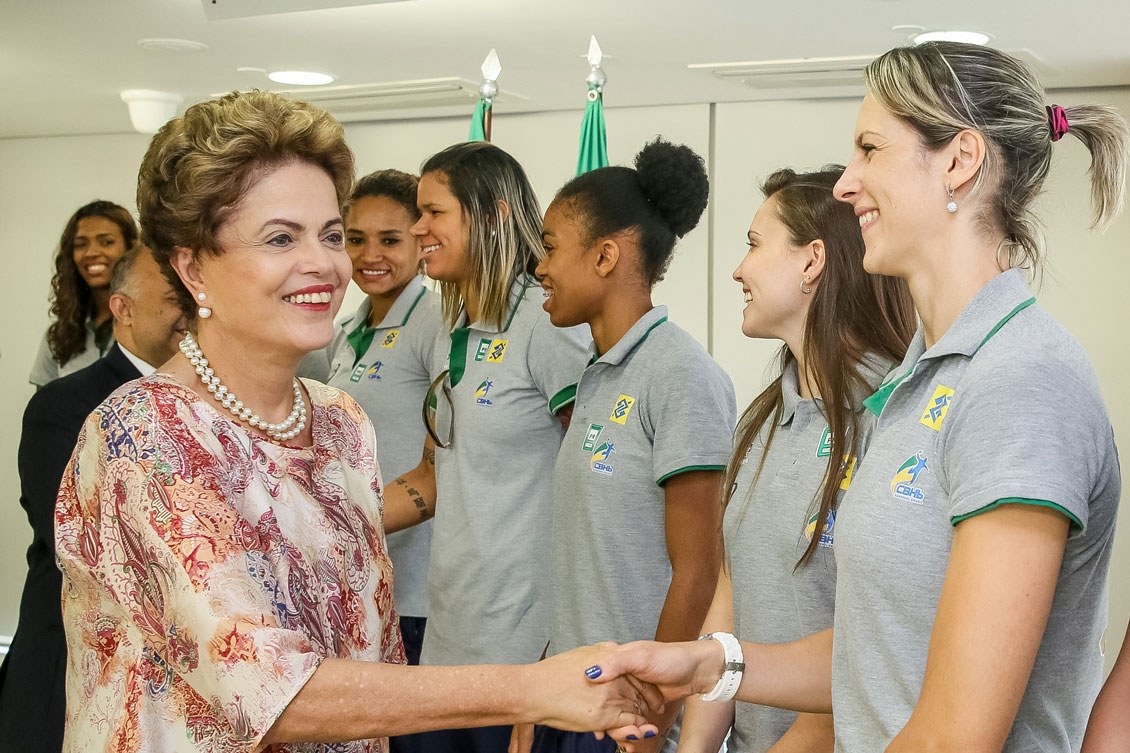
(63, 63)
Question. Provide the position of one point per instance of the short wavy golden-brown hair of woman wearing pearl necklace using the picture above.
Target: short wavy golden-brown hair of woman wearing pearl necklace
(199, 167)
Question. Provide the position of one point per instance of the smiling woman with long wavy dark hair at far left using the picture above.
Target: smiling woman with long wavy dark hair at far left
(95, 238)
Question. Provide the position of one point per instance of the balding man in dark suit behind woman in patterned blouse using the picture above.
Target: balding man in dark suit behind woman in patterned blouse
(149, 326)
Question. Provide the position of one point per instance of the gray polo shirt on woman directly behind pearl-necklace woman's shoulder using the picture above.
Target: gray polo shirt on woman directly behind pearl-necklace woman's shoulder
(389, 382)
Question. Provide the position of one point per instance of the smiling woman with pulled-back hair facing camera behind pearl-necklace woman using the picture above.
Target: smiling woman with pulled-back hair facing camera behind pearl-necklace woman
(383, 357)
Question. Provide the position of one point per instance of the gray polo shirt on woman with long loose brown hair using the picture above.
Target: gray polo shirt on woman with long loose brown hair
(768, 527)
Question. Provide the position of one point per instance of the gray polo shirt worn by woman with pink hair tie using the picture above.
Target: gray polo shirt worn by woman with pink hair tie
(1005, 409)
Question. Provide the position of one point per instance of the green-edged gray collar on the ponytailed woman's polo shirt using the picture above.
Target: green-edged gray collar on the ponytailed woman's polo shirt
(994, 307)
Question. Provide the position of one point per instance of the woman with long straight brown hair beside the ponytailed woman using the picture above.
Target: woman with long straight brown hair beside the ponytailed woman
(799, 443)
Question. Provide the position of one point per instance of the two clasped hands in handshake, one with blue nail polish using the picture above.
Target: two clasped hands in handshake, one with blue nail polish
(614, 690)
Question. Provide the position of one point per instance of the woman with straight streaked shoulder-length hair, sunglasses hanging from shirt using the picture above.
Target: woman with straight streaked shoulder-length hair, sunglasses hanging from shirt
(505, 377)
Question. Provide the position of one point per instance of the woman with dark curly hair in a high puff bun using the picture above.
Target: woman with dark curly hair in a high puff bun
(637, 550)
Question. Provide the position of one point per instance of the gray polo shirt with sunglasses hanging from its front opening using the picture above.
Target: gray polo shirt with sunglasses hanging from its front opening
(493, 523)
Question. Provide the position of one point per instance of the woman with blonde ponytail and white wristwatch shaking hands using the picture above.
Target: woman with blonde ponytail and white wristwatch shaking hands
(973, 547)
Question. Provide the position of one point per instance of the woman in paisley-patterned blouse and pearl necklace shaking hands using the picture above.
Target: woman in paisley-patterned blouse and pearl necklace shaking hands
(221, 526)
